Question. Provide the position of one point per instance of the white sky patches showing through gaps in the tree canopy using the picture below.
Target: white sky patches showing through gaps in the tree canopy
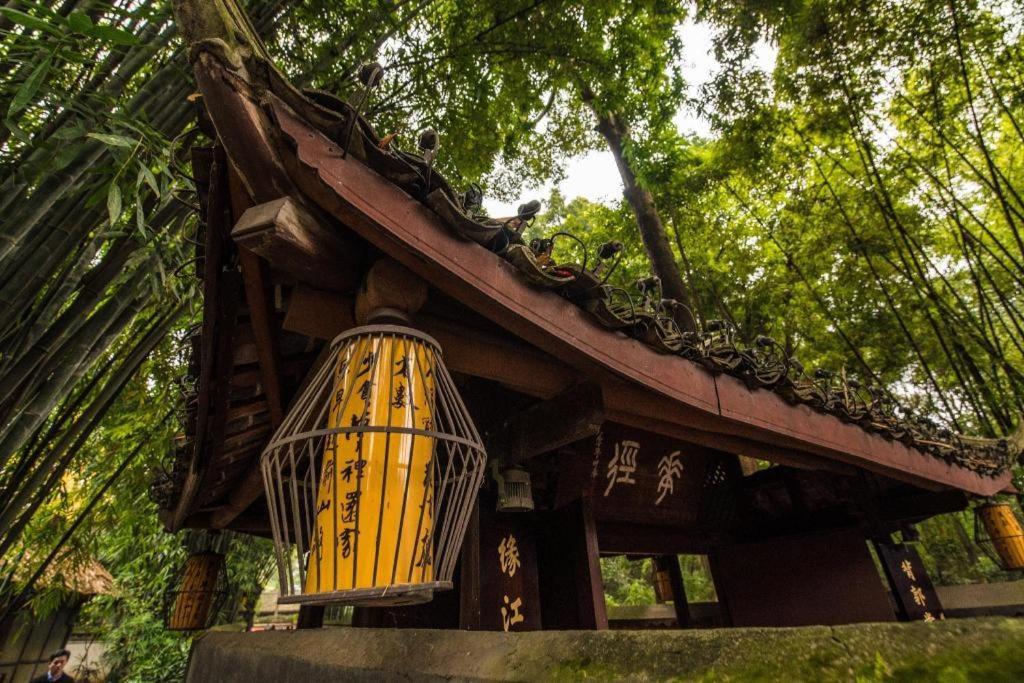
(594, 176)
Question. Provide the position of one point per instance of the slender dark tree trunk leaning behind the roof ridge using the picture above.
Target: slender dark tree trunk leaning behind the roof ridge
(649, 221)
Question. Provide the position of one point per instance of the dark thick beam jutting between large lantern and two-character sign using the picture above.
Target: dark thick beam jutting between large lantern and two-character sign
(548, 425)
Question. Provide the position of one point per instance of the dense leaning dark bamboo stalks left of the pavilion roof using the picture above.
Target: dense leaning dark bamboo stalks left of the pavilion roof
(97, 223)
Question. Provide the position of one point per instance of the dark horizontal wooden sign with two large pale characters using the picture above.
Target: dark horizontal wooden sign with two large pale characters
(634, 476)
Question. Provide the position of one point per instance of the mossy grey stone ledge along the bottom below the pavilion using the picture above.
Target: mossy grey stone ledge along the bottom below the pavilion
(983, 650)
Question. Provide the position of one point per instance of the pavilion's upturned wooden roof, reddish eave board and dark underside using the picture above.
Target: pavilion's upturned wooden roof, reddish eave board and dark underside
(267, 313)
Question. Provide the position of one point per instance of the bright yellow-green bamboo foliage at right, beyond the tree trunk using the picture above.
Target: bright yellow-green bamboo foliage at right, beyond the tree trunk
(889, 187)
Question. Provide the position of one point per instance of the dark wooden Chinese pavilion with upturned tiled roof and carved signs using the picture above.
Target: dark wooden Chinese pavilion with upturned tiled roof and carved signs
(607, 433)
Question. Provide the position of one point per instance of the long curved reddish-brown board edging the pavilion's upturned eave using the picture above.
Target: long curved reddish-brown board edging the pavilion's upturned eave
(644, 388)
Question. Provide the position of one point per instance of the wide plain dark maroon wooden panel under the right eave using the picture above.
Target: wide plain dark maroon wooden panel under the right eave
(826, 579)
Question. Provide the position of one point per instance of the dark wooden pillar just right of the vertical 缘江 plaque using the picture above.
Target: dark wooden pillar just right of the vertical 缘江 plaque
(572, 590)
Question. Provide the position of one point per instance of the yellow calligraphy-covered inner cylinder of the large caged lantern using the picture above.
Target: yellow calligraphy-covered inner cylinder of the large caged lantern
(376, 488)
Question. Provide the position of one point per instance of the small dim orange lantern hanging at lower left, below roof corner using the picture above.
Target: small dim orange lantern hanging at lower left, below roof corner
(202, 588)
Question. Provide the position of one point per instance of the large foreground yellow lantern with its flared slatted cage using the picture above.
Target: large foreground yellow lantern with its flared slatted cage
(372, 477)
